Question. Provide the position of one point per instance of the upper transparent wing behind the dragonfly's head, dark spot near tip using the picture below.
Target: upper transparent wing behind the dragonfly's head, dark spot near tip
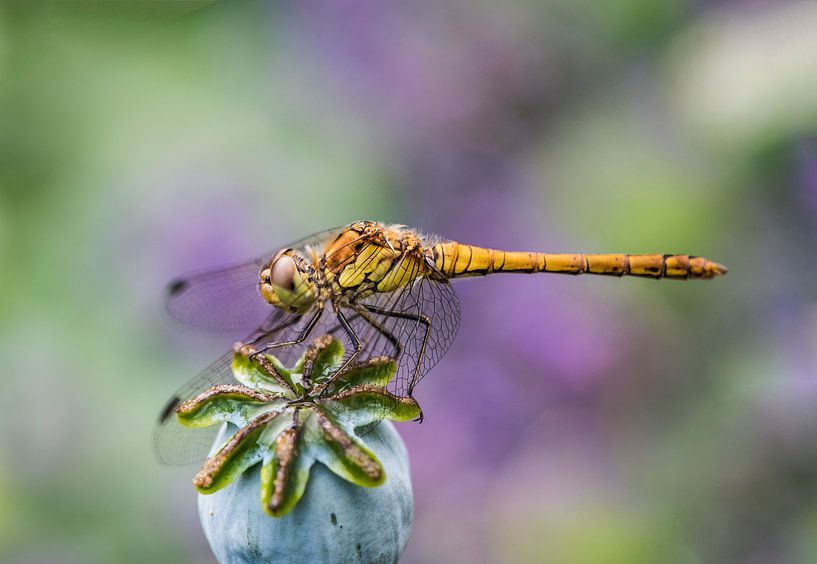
(227, 298)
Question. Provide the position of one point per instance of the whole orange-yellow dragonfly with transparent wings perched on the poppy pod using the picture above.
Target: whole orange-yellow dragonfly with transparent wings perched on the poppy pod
(385, 288)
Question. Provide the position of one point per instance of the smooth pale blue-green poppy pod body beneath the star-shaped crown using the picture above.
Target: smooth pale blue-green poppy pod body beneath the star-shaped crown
(335, 520)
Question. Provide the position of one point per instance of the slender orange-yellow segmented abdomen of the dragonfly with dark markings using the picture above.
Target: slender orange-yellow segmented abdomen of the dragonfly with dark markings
(456, 261)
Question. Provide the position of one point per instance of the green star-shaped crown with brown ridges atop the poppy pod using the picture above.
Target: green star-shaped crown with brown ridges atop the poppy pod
(289, 418)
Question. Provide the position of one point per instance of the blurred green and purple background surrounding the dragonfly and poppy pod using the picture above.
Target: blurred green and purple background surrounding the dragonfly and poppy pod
(579, 420)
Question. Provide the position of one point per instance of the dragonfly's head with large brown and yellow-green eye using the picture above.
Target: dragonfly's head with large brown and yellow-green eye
(286, 284)
